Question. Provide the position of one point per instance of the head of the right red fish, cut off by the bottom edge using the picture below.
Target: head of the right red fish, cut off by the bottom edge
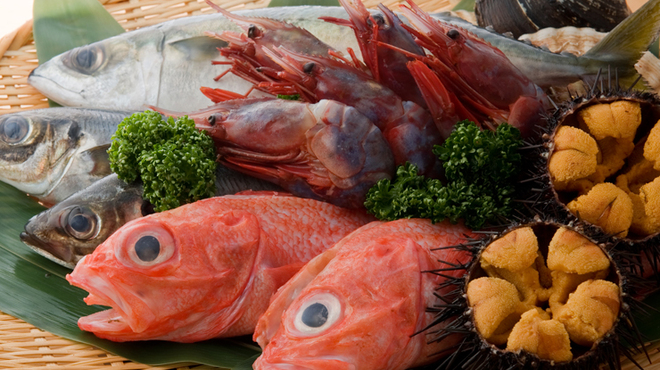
(360, 311)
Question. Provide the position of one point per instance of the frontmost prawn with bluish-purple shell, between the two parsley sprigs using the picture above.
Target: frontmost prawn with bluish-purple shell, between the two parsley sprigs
(327, 151)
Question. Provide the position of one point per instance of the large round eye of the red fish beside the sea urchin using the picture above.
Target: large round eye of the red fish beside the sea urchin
(317, 314)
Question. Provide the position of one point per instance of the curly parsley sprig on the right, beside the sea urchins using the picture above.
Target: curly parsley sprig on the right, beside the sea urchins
(480, 167)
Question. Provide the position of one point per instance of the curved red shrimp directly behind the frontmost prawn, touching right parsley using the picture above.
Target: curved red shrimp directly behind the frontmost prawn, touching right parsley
(408, 128)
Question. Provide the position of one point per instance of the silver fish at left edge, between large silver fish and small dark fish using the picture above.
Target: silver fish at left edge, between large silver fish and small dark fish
(52, 153)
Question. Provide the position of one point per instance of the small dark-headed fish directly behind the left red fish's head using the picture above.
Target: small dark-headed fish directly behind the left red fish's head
(75, 226)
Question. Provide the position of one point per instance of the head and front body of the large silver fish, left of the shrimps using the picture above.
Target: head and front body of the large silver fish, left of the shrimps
(165, 65)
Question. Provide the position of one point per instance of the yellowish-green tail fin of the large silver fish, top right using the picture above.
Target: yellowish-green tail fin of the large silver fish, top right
(632, 36)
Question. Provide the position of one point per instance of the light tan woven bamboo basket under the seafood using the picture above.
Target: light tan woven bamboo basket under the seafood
(25, 346)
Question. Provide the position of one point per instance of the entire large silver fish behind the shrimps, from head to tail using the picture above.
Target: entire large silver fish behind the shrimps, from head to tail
(166, 65)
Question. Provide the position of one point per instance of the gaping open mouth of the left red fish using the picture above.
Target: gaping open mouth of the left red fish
(121, 322)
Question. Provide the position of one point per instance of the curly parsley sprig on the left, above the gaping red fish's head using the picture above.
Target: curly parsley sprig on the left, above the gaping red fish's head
(174, 160)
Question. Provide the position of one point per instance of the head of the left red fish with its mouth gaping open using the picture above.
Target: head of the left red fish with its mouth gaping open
(168, 276)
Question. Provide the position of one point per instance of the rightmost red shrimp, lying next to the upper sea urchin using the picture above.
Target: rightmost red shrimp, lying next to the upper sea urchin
(481, 76)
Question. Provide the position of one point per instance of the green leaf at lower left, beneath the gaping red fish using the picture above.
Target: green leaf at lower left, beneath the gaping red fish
(33, 289)
